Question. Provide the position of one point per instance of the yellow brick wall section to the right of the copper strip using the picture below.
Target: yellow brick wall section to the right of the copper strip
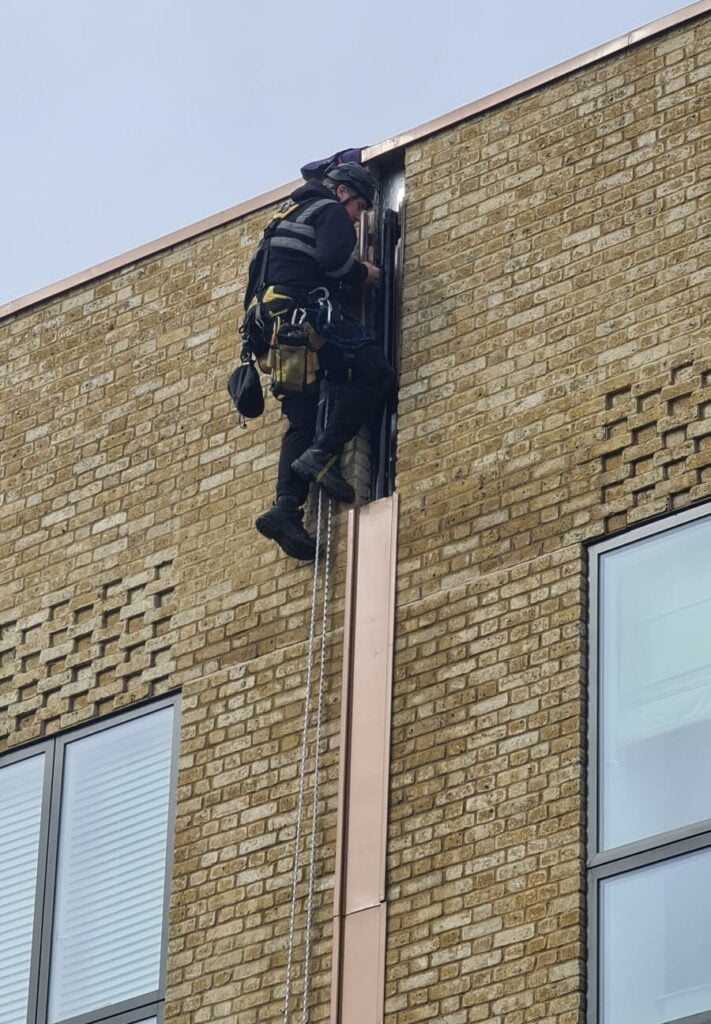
(556, 387)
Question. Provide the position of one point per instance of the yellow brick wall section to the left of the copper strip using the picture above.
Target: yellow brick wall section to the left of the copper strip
(132, 569)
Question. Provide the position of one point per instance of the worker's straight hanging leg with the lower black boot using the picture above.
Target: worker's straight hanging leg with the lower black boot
(283, 523)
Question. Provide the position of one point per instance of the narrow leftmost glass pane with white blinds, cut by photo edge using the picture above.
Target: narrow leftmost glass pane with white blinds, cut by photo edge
(21, 812)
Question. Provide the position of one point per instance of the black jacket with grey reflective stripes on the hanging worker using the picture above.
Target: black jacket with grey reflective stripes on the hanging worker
(312, 247)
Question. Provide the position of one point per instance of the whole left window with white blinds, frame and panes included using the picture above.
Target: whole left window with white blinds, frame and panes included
(86, 829)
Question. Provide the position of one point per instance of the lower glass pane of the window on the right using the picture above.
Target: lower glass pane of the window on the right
(656, 943)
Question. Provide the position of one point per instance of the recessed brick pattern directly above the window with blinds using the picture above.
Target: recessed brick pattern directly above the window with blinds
(88, 656)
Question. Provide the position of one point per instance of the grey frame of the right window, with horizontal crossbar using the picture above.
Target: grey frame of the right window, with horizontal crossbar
(656, 849)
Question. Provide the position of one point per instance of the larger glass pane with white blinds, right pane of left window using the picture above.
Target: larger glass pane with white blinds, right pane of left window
(109, 900)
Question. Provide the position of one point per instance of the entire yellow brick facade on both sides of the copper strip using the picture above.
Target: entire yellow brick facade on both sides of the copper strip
(556, 388)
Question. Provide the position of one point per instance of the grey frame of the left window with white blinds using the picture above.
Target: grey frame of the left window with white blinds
(129, 1011)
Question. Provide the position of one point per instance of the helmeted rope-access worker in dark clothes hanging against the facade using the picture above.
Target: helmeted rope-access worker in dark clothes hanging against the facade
(302, 273)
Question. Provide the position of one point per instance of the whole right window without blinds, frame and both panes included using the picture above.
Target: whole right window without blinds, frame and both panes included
(650, 775)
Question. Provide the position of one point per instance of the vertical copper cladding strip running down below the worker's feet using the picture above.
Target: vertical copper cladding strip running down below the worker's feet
(360, 913)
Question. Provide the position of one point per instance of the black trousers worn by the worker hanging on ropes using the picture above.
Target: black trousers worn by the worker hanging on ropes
(357, 397)
